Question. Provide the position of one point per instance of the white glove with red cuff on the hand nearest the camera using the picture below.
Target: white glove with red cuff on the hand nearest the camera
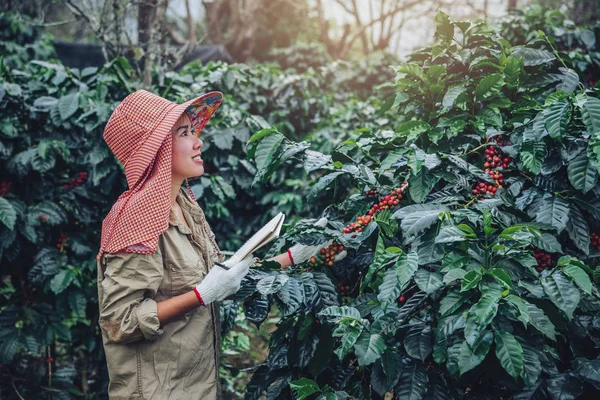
(221, 283)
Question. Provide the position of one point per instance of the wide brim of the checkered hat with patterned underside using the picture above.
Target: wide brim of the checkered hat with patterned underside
(200, 110)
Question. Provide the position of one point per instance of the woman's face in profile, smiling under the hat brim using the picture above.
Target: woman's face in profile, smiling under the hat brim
(187, 156)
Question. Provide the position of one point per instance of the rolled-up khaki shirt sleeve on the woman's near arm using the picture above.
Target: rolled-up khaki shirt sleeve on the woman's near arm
(130, 281)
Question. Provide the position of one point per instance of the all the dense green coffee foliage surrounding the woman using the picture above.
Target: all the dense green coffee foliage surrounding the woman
(464, 268)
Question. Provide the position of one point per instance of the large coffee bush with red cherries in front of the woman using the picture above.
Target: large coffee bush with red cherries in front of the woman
(470, 223)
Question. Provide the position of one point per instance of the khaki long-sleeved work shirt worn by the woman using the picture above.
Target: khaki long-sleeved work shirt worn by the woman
(181, 359)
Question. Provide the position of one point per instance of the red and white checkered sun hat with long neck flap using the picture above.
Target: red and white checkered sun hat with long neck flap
(136, 133)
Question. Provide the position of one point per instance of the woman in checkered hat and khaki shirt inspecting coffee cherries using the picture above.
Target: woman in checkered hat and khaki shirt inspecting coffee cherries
(158, 288)
